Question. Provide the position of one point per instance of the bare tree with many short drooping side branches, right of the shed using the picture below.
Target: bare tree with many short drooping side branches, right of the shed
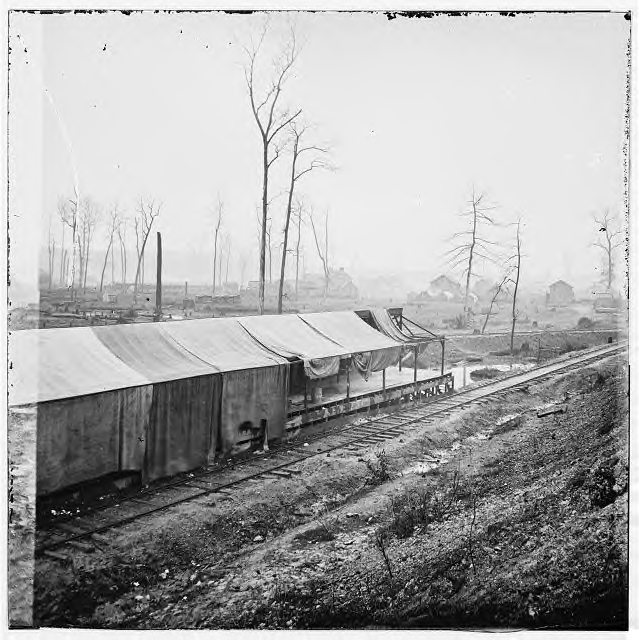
(471, 244)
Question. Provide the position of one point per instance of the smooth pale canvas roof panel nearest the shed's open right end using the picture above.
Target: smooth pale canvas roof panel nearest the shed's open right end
(350, 331)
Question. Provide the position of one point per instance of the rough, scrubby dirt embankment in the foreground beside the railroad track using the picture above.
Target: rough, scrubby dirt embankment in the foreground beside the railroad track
(463, 523)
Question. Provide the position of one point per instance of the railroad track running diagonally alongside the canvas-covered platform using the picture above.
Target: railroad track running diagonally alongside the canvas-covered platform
(83, 531)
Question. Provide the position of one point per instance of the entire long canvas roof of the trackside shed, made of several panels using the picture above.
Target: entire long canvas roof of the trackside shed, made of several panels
(53, 364)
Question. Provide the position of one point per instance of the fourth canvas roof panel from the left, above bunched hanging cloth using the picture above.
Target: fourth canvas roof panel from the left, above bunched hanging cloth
(291, 337)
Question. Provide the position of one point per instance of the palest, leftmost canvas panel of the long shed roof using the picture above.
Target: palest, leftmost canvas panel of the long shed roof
(50, 364)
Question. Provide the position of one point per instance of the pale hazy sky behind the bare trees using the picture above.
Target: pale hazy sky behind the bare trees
(529, 109)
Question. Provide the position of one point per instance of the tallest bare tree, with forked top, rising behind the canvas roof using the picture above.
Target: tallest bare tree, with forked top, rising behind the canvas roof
(270, 121)
